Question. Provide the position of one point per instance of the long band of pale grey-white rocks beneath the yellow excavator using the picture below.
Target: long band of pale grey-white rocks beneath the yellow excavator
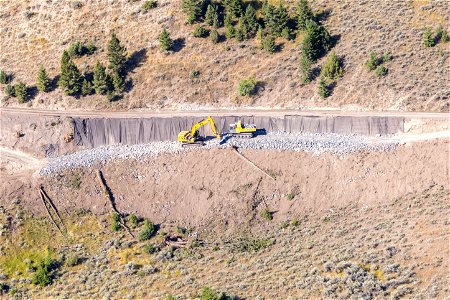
(312, 143)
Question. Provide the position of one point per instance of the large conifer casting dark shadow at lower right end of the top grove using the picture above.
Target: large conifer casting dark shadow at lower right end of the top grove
(316, 42)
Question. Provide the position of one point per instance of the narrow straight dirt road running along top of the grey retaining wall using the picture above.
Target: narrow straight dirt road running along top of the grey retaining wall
(226, 112)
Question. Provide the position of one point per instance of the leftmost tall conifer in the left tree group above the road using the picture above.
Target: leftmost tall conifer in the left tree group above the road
(70, 79)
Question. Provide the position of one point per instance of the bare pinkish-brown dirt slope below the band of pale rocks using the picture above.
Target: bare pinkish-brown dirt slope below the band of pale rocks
(216, 186)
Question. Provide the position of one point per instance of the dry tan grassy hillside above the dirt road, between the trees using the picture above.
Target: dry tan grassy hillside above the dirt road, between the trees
(37, 32)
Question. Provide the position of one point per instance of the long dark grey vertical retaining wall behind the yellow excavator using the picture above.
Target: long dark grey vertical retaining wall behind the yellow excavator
(94, 132)
